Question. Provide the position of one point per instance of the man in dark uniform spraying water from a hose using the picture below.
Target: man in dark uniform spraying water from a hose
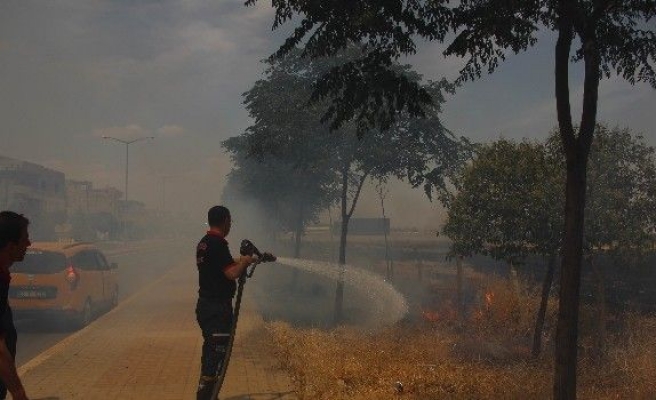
(217, 275)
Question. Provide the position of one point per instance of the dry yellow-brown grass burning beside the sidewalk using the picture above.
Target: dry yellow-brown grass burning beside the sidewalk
(484, 356)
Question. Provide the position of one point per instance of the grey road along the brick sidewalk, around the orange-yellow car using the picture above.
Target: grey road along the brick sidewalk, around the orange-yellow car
(137, 268)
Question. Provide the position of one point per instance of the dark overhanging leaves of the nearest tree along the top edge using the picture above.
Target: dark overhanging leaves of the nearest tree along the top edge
(482, 32)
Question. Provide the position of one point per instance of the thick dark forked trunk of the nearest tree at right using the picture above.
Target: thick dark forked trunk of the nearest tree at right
(576, 153)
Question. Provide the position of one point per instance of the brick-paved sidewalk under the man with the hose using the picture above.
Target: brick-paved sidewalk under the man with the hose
(149, 348)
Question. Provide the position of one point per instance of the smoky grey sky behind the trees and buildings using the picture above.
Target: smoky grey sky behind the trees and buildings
(72, 71)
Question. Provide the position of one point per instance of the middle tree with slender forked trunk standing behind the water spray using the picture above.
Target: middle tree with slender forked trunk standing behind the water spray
(419, 150)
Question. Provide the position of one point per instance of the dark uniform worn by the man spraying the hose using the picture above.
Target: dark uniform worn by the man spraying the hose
(214, 307)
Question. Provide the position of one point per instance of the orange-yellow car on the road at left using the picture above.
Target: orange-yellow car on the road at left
(70, 280)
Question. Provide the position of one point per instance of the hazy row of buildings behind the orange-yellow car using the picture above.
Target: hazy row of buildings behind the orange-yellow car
(67, 209)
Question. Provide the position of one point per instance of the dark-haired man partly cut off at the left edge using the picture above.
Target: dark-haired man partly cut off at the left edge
(14, 241)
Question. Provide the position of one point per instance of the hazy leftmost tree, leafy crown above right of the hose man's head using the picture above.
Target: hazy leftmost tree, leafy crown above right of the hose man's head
(277, 160)
